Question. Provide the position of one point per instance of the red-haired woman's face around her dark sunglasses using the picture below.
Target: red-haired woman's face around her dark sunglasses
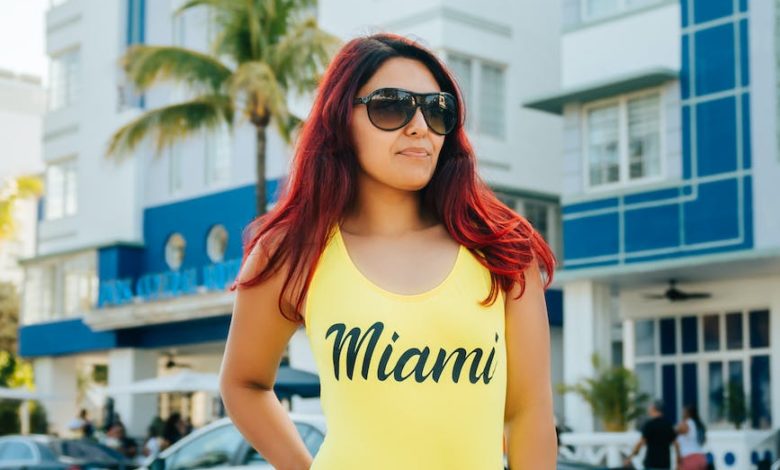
(403, 159)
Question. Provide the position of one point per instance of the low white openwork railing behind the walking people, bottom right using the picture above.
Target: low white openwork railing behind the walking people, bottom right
(728, 449)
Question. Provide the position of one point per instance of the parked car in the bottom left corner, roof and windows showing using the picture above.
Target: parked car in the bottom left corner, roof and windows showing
(38, 452)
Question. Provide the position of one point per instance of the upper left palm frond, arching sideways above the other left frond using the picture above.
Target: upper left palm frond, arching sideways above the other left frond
(148, 65)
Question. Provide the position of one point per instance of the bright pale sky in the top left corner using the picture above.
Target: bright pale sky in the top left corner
(22, 37)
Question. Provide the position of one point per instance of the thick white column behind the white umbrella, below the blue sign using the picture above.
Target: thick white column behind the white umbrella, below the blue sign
(126, 366)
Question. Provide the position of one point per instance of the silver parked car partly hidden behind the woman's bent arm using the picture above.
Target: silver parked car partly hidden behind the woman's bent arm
(220, 445)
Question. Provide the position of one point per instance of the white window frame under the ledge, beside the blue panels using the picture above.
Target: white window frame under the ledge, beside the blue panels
(624, 179)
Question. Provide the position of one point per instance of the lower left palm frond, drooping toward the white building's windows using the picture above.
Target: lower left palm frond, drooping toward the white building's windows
(169, 124)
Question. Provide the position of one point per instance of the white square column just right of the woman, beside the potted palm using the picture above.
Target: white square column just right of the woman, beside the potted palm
(586, 330)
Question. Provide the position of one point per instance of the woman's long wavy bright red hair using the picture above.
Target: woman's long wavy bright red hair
(322, 181)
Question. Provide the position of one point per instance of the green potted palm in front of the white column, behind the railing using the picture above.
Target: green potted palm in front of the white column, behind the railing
(613, 394)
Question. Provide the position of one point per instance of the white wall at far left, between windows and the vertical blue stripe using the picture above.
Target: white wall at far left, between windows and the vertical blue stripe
(107, 189)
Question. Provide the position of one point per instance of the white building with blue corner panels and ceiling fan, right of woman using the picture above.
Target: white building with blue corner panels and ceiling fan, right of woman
(670, 159)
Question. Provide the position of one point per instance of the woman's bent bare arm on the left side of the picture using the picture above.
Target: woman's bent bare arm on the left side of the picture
(256, 341)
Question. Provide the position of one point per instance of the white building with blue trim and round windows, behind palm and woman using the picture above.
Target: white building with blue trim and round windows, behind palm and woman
(133, 255)
